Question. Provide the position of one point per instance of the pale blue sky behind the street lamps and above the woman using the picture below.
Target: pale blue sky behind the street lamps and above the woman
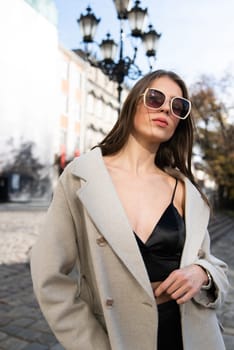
(197, 36)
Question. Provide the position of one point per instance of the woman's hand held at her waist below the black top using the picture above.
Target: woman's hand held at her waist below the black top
(183, 284)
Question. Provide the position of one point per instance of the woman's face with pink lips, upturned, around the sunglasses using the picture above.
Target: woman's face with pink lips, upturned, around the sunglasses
(157, 126)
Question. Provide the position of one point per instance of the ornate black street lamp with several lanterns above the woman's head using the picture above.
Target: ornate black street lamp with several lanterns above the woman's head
(124, 66)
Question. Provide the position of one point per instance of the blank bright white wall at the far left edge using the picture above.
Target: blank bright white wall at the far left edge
(28, 78)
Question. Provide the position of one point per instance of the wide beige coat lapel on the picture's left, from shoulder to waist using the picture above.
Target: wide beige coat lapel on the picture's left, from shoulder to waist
(99, 197)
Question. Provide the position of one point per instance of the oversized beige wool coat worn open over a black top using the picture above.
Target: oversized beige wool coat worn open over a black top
(109, 303)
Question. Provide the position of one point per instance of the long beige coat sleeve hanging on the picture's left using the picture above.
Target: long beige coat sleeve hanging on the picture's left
(52, 259)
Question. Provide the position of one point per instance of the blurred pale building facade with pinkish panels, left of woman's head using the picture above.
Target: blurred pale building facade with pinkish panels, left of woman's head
(88, 104)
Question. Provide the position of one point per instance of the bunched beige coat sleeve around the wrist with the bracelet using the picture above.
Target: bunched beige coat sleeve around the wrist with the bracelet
(215, 297)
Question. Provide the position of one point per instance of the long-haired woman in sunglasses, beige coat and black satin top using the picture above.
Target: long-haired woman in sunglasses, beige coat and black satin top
(130, 219)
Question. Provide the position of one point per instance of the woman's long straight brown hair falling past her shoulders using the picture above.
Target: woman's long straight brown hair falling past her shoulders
(175, 153)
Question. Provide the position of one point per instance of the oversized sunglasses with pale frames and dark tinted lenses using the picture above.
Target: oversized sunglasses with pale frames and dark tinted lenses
(180, 107)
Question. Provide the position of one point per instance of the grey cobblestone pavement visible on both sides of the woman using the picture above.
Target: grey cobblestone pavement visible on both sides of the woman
(22, 326)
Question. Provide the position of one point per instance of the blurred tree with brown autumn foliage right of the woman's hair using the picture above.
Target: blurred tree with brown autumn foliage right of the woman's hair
(215, 135)
